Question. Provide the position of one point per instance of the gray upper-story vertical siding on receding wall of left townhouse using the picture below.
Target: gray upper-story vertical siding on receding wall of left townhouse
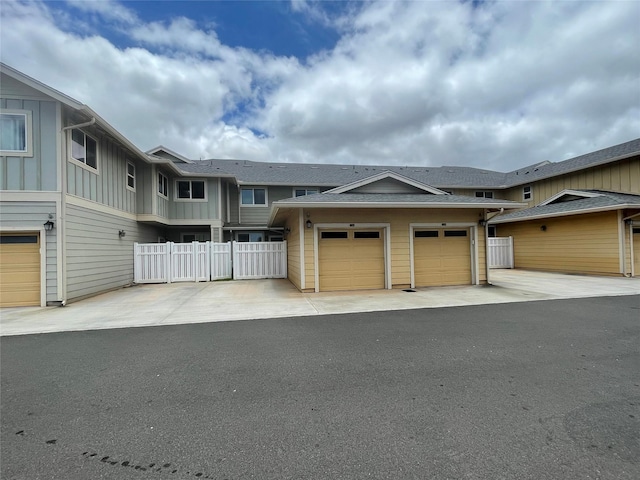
(107, 185)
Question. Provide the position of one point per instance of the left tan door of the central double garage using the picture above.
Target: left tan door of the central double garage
(351, 259)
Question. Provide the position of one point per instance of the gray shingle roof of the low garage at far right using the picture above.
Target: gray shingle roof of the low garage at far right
(604, 201)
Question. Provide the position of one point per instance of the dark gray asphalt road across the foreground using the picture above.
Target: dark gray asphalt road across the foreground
(538, 390)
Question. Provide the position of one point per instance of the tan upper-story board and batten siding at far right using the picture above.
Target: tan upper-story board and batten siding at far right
(622, 176)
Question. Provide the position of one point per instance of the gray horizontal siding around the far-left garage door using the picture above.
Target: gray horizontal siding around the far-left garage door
(33, 215)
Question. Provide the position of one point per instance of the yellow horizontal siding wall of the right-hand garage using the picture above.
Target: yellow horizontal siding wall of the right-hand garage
(586, 243)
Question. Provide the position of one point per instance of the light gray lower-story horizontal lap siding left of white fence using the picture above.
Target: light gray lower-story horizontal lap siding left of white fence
(98, 259)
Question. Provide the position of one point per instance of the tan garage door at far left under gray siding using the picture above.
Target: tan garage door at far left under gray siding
(19, 270)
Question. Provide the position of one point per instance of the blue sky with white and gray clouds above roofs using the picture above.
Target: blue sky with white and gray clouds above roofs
(488, 84)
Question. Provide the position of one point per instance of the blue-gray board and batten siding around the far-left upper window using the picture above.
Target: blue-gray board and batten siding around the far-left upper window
(39, 171)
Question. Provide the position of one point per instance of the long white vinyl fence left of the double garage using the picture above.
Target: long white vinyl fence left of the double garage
(203, 261)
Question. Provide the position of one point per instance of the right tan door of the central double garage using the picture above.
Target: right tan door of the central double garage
(441, 257)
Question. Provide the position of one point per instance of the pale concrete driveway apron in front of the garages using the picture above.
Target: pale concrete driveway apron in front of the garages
(182, 303)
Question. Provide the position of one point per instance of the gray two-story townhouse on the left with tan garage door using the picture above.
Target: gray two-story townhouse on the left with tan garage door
(75, 195)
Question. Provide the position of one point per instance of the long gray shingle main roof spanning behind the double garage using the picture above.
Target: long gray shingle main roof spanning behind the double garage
(331, 175)
